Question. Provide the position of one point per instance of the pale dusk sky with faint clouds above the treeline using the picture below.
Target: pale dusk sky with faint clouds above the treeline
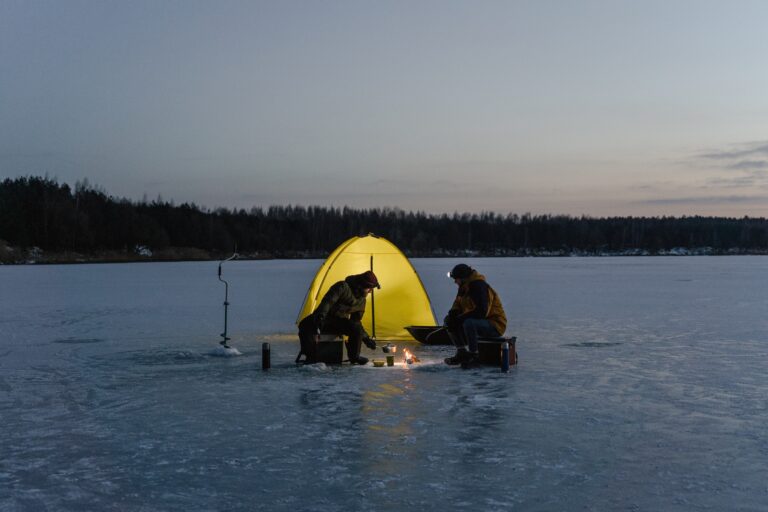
(597, 108)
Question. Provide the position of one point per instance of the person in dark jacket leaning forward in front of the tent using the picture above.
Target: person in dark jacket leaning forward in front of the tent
(340, 312)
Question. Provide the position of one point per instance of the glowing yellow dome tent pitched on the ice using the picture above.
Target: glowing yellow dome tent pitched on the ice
(402, 299)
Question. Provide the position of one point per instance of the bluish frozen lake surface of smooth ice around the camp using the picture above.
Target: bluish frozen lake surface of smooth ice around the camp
(643, 385)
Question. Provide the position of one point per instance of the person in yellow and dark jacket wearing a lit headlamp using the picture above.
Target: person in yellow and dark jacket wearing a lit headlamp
(476, 312)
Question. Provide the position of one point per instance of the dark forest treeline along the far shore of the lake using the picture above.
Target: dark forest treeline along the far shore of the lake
(40, 212)
